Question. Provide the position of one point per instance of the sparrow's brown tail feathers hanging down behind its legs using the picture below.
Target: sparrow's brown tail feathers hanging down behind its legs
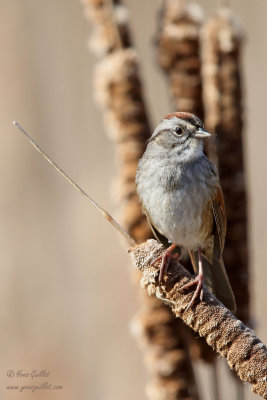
(216, 279)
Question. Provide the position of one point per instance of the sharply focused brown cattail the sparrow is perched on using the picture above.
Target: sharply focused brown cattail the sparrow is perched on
(228, 336)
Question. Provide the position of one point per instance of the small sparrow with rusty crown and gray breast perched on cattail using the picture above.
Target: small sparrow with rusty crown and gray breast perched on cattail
(181, 195)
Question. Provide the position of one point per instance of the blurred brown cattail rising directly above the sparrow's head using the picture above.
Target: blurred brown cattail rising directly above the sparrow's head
(178, 54)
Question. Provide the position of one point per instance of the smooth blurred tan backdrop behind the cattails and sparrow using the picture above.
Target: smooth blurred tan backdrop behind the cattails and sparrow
(66, 296)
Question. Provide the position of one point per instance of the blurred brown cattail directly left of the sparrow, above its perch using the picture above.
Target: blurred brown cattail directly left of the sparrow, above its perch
(119, 93)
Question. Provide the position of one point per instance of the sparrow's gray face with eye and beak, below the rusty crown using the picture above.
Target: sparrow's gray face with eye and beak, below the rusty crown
(180, 136)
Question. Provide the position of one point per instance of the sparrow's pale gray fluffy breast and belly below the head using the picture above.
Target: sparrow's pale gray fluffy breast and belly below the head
(177, 200)
